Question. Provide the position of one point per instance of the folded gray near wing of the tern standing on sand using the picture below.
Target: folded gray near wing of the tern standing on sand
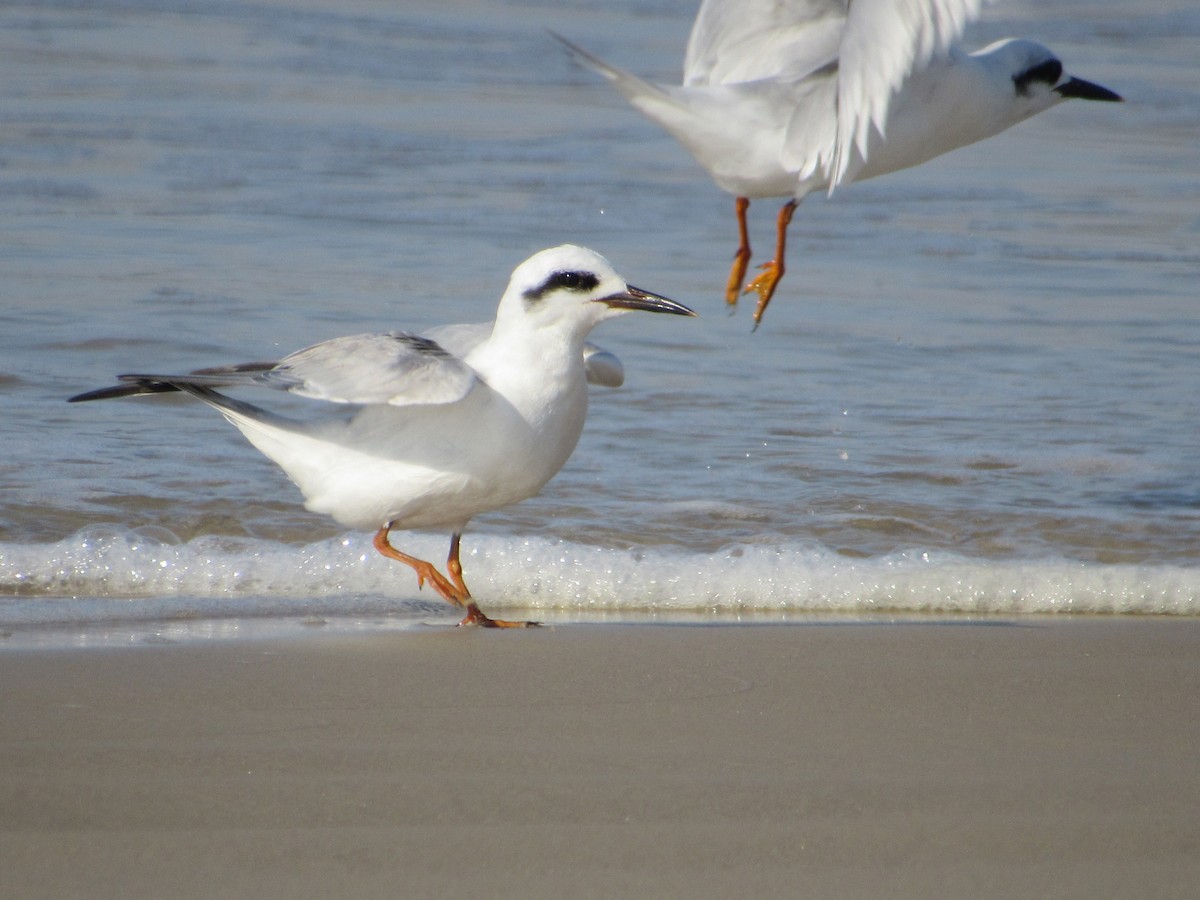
(398, 369)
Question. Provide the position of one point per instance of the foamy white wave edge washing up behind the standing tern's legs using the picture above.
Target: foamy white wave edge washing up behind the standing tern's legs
(105, 574)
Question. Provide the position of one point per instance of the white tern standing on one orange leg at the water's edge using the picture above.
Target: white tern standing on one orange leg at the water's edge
(400, 433)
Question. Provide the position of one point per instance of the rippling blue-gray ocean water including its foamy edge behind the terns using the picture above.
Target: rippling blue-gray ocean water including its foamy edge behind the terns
(975, 393)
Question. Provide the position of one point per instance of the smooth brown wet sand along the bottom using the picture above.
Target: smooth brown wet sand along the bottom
(1011, 758)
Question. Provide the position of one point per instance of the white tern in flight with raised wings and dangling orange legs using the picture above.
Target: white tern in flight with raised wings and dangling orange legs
(784, 98)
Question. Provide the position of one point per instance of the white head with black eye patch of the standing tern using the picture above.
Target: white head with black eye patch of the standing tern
(573, 290)
